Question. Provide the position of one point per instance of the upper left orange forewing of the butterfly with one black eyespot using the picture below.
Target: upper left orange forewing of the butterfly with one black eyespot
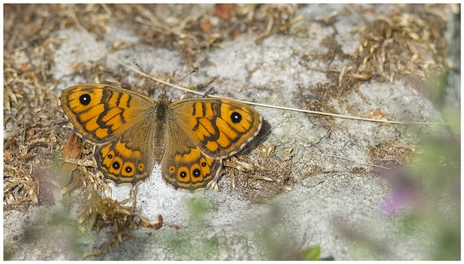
(101, 112)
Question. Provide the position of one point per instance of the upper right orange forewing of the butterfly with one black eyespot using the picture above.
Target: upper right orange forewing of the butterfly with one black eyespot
(219, 127)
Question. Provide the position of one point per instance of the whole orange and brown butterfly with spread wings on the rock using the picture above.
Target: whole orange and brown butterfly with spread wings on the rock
(131, 132)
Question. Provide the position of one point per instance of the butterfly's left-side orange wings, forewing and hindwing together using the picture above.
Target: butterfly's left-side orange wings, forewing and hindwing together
(116, 121)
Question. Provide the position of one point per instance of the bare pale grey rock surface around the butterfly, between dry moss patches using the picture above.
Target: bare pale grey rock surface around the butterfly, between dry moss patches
(318, 210)
